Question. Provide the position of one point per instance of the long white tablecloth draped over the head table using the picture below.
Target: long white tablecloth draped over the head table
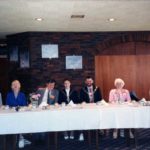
(80, 118)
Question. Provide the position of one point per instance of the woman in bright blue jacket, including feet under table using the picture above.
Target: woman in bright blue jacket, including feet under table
(17, 98)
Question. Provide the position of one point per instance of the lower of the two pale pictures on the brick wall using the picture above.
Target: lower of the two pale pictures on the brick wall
(74, 62)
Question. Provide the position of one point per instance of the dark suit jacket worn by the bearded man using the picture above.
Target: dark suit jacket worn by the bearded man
(84, 96)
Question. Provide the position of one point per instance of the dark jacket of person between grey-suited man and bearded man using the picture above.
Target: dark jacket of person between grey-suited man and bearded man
(73, 95)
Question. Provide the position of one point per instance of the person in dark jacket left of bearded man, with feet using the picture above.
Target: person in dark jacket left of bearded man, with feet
(66, 95)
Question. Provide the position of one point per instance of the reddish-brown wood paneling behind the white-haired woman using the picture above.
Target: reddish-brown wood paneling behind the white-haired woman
(133, 69)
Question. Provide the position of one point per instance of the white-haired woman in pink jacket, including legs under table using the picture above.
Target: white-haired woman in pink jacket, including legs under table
(119, 95)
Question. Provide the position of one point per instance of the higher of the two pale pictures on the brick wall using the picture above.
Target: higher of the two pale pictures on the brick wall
(49, 51)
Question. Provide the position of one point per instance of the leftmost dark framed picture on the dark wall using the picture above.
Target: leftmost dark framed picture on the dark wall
(13, 53)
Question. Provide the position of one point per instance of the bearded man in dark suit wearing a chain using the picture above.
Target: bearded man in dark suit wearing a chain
(90, 93)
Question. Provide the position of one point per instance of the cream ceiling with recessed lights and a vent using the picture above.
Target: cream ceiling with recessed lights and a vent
(19, 15)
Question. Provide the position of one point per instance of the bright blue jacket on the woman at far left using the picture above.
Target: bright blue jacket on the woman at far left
(19, 101)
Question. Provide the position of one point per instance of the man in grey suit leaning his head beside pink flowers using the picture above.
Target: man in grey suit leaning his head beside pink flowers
(49, 94)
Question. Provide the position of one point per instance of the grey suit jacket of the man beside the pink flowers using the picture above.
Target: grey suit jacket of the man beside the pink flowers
(50, 101)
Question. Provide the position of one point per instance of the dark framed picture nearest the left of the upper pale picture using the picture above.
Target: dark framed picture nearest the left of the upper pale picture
(24, 59)
